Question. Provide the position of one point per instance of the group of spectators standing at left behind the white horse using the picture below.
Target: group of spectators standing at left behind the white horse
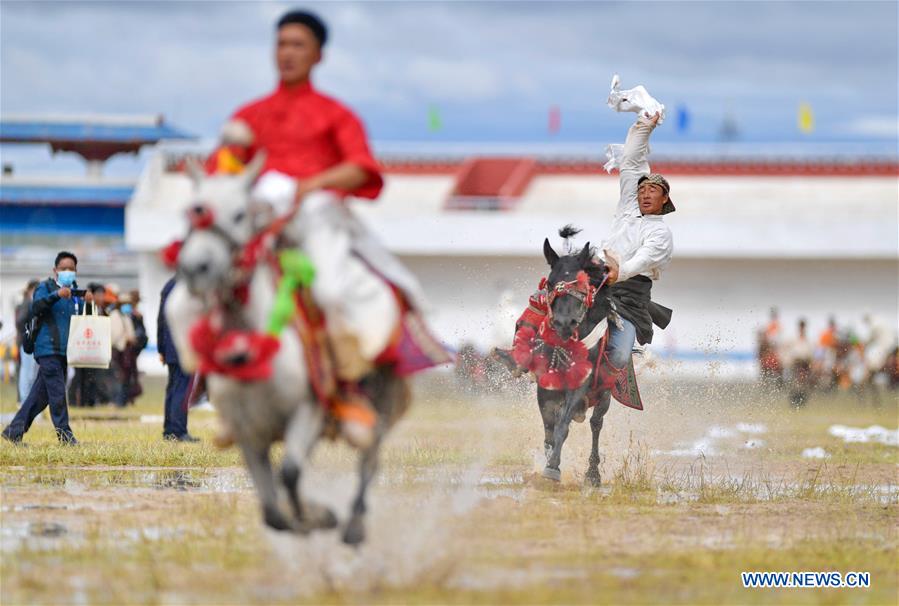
(43, 375)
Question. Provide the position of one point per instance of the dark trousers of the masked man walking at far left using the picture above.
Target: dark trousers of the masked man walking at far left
(49, 389)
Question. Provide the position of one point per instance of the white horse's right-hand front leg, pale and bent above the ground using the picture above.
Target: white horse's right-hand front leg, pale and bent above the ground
(302, 433)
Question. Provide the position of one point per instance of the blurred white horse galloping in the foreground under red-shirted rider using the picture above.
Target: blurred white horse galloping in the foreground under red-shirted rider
(283, 406)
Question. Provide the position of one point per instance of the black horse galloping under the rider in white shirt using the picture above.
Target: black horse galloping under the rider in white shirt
(569, 313)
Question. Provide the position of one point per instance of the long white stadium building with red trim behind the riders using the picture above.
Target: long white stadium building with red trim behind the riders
(813, 236)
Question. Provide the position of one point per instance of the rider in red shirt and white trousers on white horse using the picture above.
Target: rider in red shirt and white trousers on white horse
(316, 155)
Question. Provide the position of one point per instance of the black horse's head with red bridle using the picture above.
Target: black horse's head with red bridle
(575, 288)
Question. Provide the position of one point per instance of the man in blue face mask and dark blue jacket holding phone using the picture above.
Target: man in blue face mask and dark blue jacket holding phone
(53, 304)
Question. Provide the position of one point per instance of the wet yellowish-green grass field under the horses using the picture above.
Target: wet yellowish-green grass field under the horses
(459, 513)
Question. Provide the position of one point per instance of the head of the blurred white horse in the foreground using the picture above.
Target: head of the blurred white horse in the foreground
(222, 222)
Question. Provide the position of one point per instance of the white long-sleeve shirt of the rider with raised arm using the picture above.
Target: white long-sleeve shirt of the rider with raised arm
(642, 244)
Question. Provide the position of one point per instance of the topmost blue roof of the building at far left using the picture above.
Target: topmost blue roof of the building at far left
(42, 132)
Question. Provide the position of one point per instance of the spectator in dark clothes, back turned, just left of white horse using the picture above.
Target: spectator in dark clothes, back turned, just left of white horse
(179, 384)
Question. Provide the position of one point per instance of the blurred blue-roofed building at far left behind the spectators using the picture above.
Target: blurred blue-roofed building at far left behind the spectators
(40, 215)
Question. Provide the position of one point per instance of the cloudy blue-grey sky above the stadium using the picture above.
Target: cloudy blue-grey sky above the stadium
(492, 69)
